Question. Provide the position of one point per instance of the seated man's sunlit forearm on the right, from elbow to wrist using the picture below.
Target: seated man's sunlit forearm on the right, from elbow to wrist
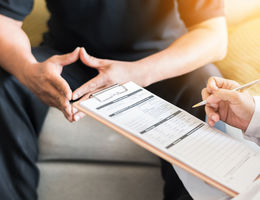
(203, 44)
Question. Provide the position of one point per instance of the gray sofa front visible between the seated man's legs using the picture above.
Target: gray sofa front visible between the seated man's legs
(86, 160)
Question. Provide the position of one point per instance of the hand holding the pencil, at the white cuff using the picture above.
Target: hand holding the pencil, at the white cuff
(233, 107)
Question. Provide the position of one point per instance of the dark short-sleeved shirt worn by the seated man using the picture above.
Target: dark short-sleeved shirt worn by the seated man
(116, 29)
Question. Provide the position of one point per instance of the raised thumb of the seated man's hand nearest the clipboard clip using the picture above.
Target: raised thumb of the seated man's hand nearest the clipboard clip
(92, 61)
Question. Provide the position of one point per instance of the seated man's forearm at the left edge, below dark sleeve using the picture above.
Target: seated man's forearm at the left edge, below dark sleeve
(15, 51)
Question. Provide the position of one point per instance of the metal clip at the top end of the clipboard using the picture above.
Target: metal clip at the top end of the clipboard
(109, 93)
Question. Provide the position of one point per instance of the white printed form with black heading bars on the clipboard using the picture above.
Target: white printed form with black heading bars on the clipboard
(178, 134)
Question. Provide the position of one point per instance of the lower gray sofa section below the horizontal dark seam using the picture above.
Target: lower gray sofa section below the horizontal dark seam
(99, 181)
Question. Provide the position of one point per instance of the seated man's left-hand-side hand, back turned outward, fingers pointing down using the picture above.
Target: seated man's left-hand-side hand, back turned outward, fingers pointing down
(45, 81)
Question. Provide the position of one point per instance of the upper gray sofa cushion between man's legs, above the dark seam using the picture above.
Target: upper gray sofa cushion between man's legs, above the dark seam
(87, 139)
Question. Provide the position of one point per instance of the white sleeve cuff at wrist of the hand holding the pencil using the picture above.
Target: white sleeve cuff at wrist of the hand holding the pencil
(253, 131)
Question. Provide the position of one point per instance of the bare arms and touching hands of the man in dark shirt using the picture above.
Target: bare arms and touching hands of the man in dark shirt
(203, 43)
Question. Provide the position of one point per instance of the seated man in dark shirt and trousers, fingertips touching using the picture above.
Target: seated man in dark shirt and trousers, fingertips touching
(141, 41)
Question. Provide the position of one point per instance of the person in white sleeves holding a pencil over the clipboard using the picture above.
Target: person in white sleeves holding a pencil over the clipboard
(238, 109)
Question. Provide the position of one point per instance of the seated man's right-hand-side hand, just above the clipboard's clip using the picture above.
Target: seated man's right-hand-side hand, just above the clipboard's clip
(110, 72)
